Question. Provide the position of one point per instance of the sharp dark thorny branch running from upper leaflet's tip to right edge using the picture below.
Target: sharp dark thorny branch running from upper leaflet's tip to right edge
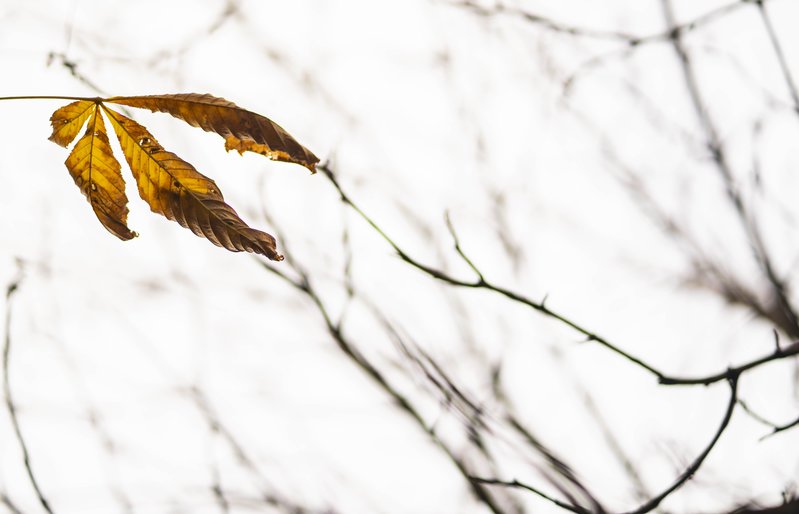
(482, 283)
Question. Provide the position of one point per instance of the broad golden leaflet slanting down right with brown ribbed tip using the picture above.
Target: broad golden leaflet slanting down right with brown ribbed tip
(174, 189)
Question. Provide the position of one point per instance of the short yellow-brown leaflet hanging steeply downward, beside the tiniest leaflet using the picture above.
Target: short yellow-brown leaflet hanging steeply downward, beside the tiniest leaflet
(98, 175)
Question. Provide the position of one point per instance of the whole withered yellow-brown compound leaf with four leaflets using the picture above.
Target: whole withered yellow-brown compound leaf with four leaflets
(170, 185)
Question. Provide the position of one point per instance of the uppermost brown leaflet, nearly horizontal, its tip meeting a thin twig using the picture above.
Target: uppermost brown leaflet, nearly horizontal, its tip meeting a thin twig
(243, 130)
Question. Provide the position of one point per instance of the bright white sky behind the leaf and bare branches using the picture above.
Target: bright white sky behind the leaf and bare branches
(423, 108)
